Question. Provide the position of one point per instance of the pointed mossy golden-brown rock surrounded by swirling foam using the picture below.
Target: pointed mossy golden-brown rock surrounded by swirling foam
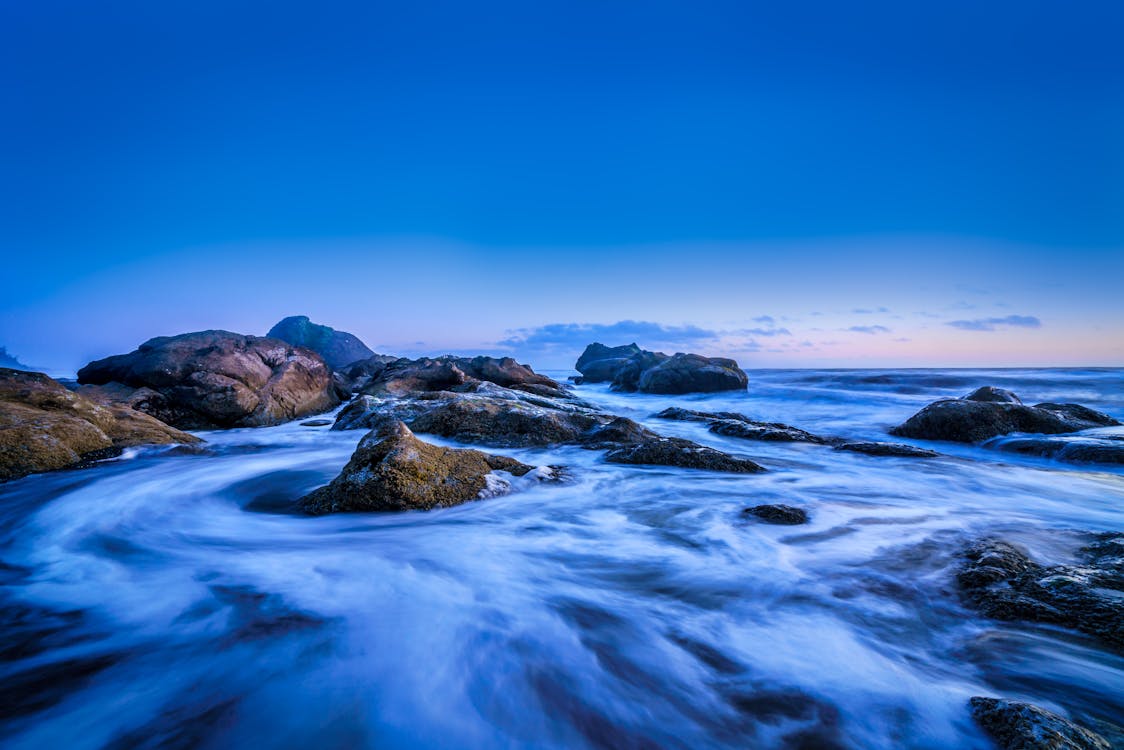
(394, 471)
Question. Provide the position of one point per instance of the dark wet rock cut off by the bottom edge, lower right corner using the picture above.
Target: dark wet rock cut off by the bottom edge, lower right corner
(1017, 726)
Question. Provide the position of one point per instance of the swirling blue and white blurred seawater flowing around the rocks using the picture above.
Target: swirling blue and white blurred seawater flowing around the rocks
(174, 601)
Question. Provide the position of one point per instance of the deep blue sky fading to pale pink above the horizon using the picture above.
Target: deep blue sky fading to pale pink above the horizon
(800, 184)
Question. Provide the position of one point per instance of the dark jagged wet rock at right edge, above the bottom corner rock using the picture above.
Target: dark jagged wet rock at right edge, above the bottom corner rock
(1003, 582)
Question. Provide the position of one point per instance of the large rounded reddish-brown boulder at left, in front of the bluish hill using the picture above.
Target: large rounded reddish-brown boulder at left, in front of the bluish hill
(221, 379)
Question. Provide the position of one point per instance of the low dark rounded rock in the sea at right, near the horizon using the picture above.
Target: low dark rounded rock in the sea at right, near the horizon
(971, 420)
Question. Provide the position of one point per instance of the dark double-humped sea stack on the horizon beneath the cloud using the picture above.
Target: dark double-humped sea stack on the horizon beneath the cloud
(631, 369)
